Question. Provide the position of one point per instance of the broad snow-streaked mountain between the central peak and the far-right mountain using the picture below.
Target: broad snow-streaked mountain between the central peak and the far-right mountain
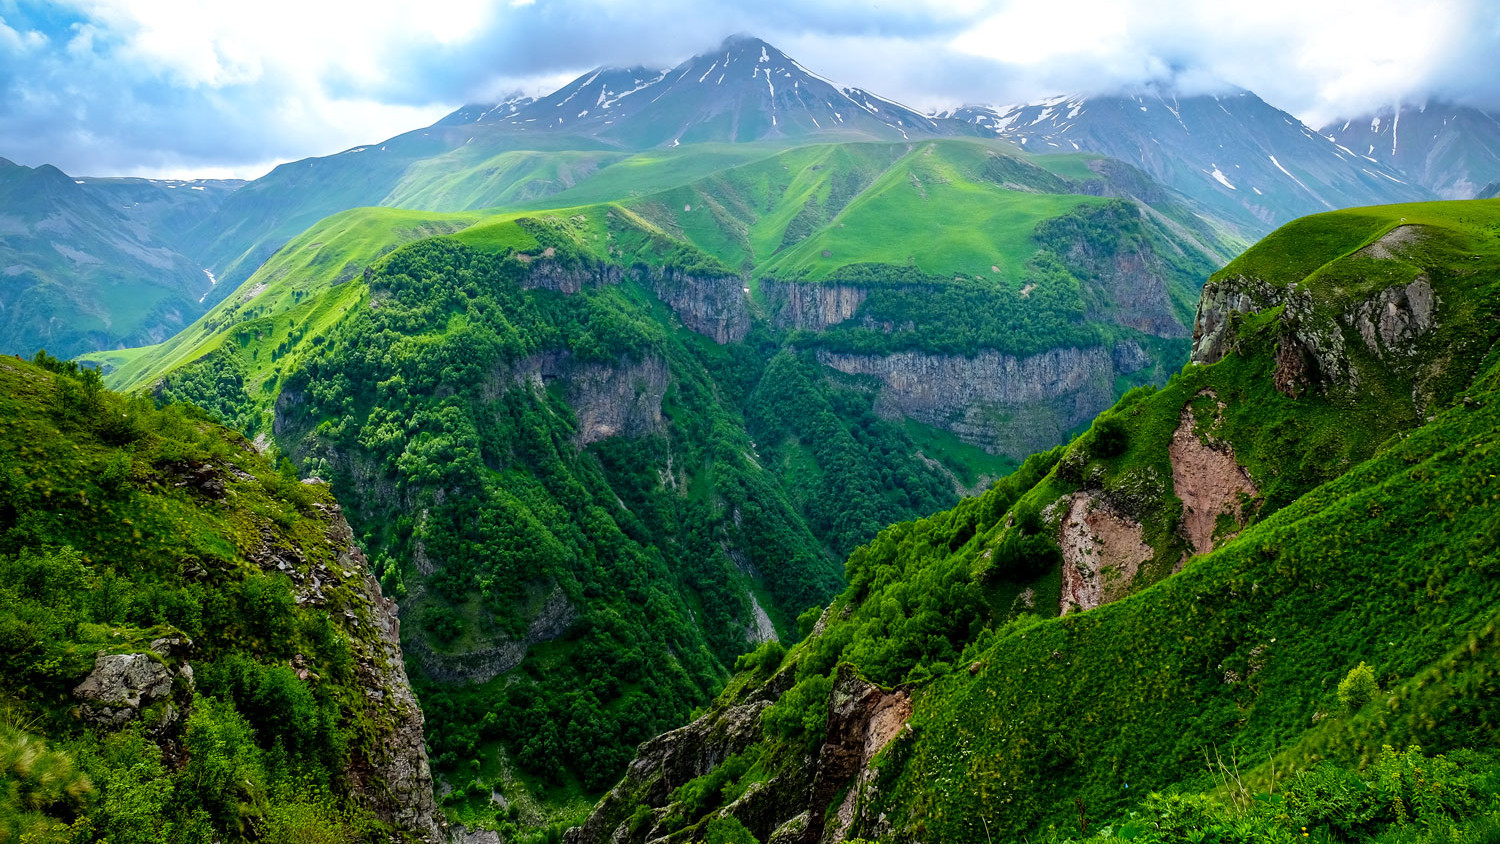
(1234, 154)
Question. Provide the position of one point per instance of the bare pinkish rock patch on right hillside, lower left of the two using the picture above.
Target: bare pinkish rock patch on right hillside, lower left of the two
(1102, 554)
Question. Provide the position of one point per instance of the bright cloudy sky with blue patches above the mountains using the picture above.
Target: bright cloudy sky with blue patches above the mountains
(232, 88)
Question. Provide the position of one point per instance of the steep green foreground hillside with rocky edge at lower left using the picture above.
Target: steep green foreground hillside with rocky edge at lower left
(191, 644)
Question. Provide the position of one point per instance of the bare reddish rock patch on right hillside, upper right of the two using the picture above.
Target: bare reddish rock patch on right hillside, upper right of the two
(1208, 480)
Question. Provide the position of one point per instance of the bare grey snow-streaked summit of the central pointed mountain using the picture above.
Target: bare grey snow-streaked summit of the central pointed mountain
(746, 91)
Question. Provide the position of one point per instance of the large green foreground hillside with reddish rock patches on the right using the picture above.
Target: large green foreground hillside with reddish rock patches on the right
(1241, 585)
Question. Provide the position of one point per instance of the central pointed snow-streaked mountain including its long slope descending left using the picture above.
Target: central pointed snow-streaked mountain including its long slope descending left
(743, 92)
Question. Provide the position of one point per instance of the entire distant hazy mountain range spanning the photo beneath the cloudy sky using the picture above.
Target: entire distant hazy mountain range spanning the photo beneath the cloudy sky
(1241, 164)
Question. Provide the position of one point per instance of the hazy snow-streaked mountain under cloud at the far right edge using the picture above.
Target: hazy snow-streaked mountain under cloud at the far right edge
(1453, 151)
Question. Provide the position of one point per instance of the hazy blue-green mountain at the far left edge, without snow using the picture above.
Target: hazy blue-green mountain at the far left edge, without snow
(89, 263)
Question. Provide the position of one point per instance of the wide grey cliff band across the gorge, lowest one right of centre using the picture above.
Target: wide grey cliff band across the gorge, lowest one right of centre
(1003, 404)
